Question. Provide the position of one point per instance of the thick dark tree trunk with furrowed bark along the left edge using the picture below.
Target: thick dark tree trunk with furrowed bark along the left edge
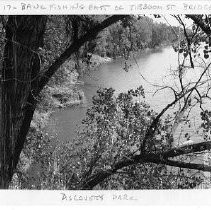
(20, 76)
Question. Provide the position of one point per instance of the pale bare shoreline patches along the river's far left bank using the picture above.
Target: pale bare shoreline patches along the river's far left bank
(70, 94)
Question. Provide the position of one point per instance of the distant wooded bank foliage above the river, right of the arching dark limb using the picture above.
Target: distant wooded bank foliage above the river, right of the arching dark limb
(133, 34)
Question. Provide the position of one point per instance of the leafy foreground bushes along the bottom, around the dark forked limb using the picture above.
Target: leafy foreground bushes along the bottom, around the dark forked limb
(112, 130)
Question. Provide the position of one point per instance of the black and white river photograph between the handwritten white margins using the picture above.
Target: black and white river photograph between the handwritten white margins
(105, 102)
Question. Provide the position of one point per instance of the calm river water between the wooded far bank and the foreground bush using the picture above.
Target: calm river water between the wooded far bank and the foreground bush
(150, 68)
